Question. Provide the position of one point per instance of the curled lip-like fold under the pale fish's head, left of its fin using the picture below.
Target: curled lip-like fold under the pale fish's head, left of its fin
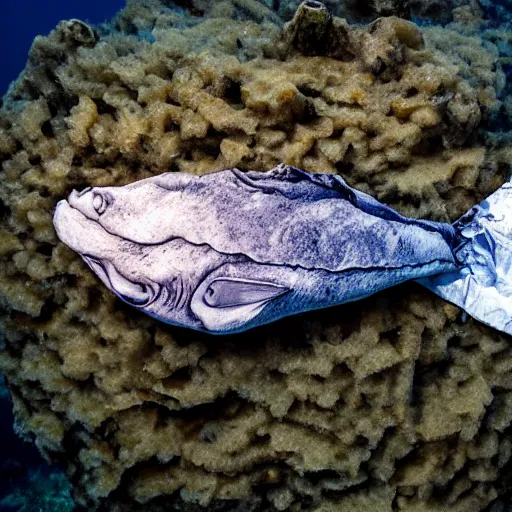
(136, 294)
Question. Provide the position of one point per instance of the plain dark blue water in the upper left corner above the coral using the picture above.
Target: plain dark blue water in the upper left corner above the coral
(22, 20)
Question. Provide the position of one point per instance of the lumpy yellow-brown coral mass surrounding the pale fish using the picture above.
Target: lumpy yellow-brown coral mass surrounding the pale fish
(397, 402)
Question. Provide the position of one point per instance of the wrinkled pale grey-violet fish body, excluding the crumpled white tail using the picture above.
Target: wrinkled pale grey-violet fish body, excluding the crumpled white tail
(231, 250)
